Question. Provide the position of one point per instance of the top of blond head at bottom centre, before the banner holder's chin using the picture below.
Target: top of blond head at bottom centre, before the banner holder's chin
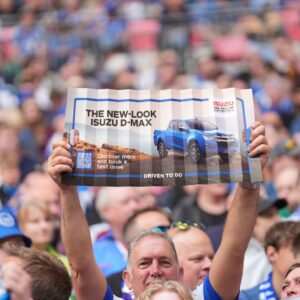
(165, 290)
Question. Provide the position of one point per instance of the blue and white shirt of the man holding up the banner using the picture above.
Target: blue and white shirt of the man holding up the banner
(205, 291)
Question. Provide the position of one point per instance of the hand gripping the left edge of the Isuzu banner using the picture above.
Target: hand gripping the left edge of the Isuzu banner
(60, 161)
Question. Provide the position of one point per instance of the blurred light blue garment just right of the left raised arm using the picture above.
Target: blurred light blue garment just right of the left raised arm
(108, 255)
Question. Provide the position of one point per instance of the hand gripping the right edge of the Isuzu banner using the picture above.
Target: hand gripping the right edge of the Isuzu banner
(259, 144)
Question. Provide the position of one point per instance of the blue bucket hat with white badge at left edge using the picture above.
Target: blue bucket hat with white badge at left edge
(9, 227)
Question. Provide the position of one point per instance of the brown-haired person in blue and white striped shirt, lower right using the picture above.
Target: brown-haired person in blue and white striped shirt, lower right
(279, 250)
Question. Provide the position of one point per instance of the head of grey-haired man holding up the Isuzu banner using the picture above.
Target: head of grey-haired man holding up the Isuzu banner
(152, 259)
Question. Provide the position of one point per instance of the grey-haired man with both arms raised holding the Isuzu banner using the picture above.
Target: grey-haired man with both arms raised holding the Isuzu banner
(159, 261)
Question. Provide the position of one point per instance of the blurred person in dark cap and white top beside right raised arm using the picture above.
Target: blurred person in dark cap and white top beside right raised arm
(256, 263)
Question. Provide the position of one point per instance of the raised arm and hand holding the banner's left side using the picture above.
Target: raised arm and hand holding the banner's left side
(88, 280)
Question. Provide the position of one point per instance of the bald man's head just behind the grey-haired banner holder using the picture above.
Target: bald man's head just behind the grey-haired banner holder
(195, 254)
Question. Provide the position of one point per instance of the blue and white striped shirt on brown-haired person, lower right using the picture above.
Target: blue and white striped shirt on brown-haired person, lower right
(263, 290)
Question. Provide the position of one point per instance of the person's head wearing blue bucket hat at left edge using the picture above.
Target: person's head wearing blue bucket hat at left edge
(10, 232)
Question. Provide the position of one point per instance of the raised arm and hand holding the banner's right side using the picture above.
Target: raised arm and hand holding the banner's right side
(227, 267)
